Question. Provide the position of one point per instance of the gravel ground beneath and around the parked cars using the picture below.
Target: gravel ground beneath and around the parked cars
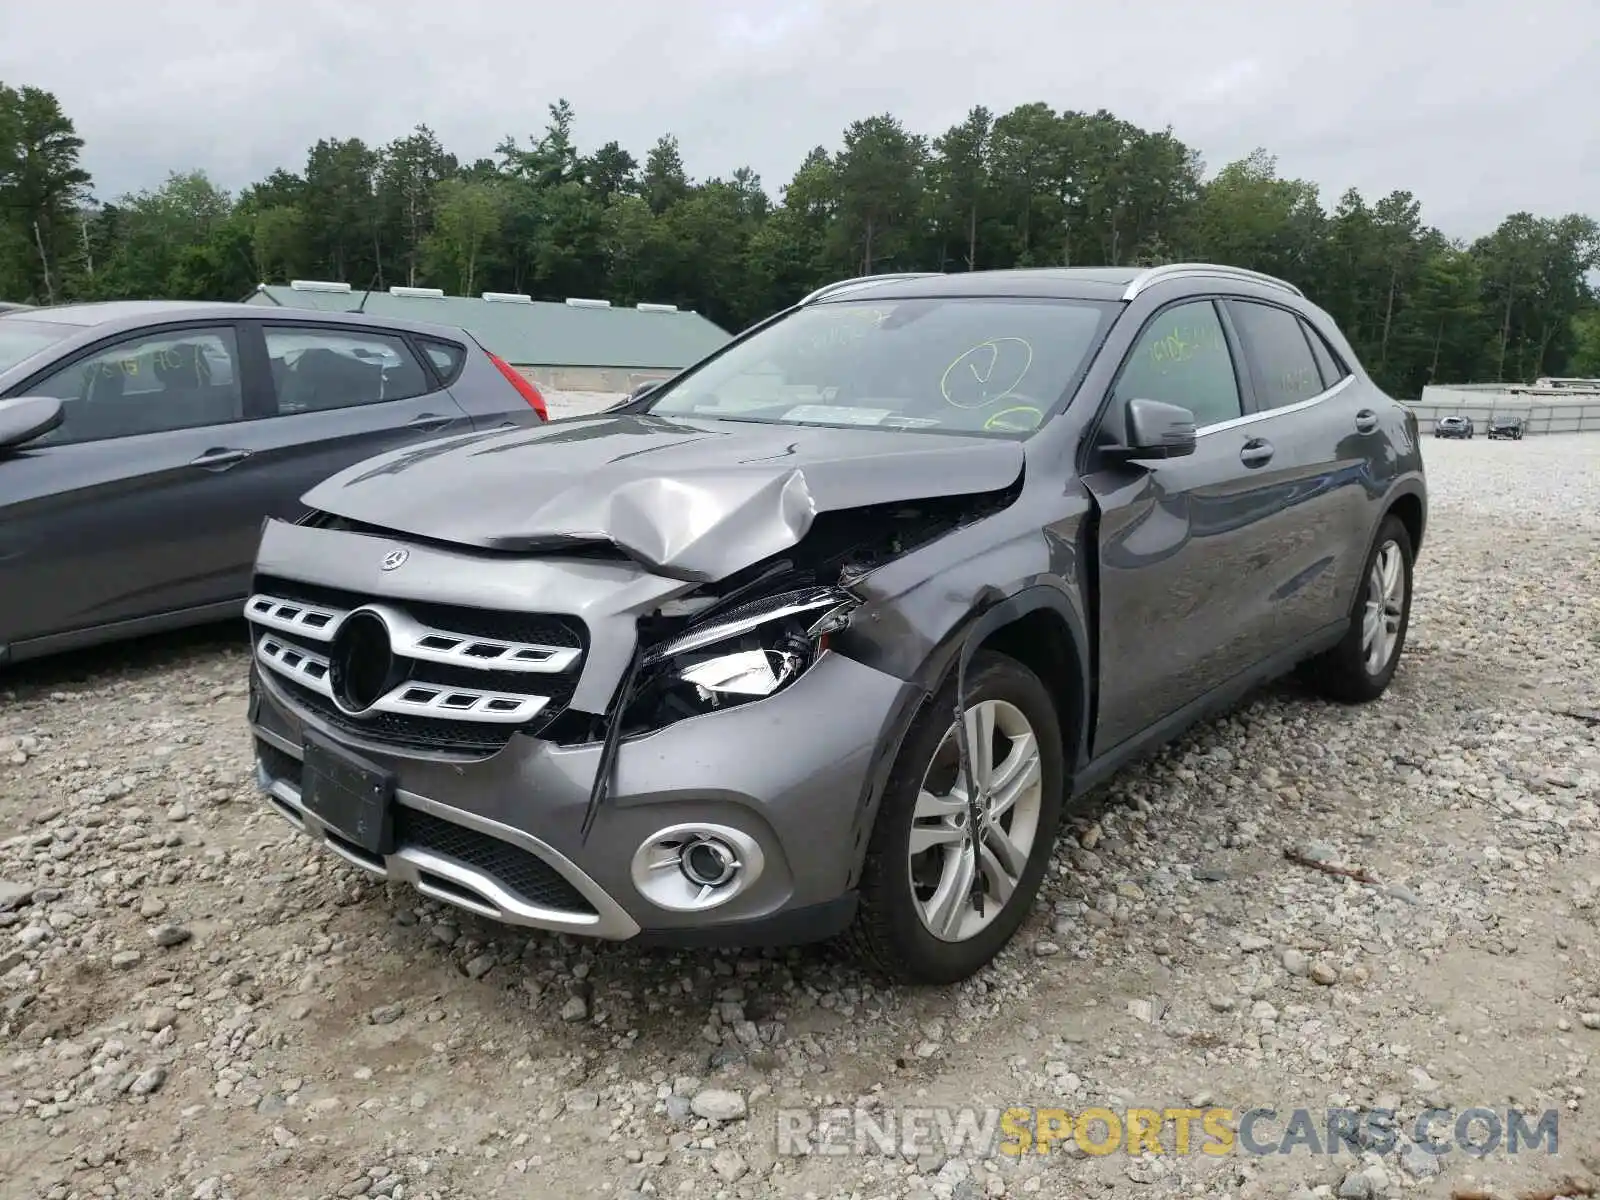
(194, 1002)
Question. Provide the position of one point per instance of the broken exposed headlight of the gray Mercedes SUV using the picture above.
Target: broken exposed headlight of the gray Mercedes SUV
(735, 658)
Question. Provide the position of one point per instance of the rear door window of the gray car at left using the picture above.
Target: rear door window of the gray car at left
(316, 370)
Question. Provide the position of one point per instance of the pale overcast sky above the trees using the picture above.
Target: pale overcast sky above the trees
(1481, 108)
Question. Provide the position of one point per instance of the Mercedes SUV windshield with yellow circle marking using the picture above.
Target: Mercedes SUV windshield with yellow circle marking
(980, 366)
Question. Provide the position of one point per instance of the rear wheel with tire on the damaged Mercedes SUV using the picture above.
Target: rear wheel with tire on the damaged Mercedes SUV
(1361, 668)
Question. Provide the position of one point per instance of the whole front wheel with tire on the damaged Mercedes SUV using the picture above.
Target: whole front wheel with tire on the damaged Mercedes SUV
(918, 921)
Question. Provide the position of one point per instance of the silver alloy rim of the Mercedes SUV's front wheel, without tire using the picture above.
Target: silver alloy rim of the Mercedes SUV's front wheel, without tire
(948, 857)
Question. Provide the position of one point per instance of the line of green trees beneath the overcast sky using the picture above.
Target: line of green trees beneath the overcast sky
(1028, 188)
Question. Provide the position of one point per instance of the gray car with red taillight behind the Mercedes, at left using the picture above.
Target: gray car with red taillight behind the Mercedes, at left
(145, 442)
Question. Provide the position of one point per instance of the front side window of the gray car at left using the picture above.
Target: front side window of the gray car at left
(148, 385)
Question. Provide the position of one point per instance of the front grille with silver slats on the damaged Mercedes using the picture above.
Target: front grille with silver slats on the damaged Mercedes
(470, 678)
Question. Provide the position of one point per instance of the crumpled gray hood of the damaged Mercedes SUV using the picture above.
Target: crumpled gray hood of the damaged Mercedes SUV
(687, 498)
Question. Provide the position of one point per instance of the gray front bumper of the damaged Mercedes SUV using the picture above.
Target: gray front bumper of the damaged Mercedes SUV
(502, 836)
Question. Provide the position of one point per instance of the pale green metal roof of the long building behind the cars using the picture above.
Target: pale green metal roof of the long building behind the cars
(530, 334)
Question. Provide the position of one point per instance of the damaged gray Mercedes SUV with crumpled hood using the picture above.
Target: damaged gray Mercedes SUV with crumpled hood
(825, 633)
